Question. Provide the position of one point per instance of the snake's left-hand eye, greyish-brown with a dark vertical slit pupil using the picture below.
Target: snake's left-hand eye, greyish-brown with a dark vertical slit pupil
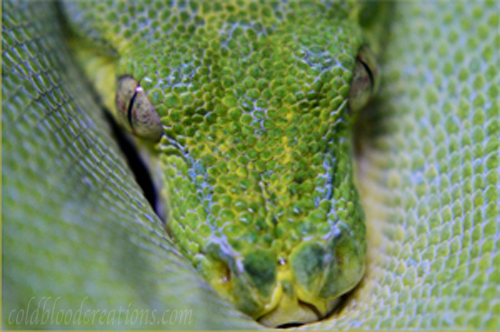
(135, 111)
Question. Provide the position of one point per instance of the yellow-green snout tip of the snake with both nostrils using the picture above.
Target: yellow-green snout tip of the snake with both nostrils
(301, 289)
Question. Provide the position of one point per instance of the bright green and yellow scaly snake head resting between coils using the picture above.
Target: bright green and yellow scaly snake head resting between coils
(256, 152)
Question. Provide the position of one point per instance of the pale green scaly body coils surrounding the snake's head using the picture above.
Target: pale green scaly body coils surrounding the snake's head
(78, 234)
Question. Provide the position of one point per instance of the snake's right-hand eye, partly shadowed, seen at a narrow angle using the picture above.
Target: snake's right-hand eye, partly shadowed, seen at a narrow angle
(364, 80)
